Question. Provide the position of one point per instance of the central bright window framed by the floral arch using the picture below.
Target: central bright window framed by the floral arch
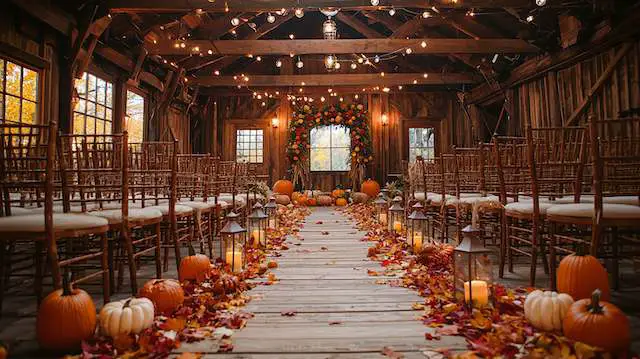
(330, 148)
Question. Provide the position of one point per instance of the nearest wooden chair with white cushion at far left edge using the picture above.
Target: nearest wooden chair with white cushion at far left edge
(27, 166)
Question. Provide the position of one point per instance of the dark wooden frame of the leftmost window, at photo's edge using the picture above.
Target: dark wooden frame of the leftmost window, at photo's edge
(40, 77)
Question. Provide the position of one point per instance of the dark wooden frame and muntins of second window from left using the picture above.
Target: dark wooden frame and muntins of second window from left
(108, 79)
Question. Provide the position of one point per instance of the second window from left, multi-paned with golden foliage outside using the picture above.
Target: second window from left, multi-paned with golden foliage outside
(93, 114)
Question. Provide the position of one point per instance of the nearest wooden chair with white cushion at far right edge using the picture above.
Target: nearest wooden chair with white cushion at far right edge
(608, 226)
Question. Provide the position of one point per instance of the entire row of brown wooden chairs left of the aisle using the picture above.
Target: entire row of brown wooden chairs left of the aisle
(90, 204)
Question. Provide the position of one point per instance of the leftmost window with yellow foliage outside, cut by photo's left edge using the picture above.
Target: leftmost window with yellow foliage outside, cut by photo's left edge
(18, 93)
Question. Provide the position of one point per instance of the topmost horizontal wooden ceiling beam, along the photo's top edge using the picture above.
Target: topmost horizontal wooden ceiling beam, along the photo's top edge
(158, 6)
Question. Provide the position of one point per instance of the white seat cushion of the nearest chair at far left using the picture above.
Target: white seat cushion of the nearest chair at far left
(34, 223)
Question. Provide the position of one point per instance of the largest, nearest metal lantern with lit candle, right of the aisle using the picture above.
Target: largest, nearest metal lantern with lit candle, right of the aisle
(473, 272)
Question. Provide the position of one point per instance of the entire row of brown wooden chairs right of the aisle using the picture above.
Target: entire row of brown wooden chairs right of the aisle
(553, 192)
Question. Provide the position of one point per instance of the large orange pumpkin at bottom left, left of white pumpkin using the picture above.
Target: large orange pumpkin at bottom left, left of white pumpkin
(65, 318)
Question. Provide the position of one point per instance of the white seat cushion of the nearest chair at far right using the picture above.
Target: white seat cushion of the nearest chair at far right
(586, 210)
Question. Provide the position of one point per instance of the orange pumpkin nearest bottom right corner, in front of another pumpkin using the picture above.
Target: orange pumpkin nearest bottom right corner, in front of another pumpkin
(597, 323)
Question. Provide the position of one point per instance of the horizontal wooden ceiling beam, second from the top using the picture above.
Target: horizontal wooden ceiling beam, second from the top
(364, 46)
